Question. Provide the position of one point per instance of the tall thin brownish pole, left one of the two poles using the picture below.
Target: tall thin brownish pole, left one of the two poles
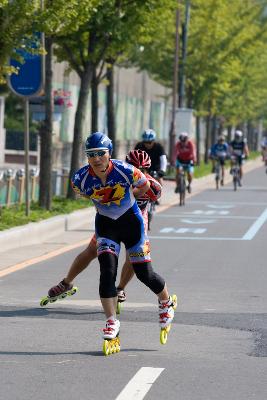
(175, 86)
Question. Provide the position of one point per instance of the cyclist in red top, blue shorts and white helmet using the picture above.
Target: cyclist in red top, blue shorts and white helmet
(185, 157)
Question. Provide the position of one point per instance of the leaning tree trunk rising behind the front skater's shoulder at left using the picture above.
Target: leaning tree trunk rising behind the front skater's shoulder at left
(76, 156)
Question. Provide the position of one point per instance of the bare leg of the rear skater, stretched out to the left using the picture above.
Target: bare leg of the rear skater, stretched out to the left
(81, 261)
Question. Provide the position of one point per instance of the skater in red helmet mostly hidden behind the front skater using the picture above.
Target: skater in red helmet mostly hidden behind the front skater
(141, 160)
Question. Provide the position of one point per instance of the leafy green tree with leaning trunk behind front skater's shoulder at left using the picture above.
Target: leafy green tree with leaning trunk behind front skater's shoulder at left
(107, 35)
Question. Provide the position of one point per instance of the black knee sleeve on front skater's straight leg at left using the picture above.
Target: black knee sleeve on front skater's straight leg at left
(108, 273)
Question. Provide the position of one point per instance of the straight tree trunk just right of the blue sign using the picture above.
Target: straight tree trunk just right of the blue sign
(45, 193)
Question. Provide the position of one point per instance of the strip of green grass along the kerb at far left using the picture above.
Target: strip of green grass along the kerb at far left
(15, 215)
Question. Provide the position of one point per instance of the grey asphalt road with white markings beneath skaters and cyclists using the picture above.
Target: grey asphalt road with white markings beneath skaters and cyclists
(212, 254)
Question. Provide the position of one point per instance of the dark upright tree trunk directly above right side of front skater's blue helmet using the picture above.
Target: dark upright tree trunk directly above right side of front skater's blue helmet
(111, 123)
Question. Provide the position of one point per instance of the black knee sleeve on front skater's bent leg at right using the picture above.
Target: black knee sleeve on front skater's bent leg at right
(149, 277)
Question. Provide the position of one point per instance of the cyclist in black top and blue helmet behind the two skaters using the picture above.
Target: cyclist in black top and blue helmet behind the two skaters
(156, 153)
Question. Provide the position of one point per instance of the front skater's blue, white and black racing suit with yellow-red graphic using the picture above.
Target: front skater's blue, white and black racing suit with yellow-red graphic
(118, 218)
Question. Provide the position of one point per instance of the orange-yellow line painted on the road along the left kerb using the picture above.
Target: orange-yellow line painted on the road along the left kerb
(44, 257)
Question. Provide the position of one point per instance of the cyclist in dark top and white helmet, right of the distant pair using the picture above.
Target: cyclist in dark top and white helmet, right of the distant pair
(238, 149)
